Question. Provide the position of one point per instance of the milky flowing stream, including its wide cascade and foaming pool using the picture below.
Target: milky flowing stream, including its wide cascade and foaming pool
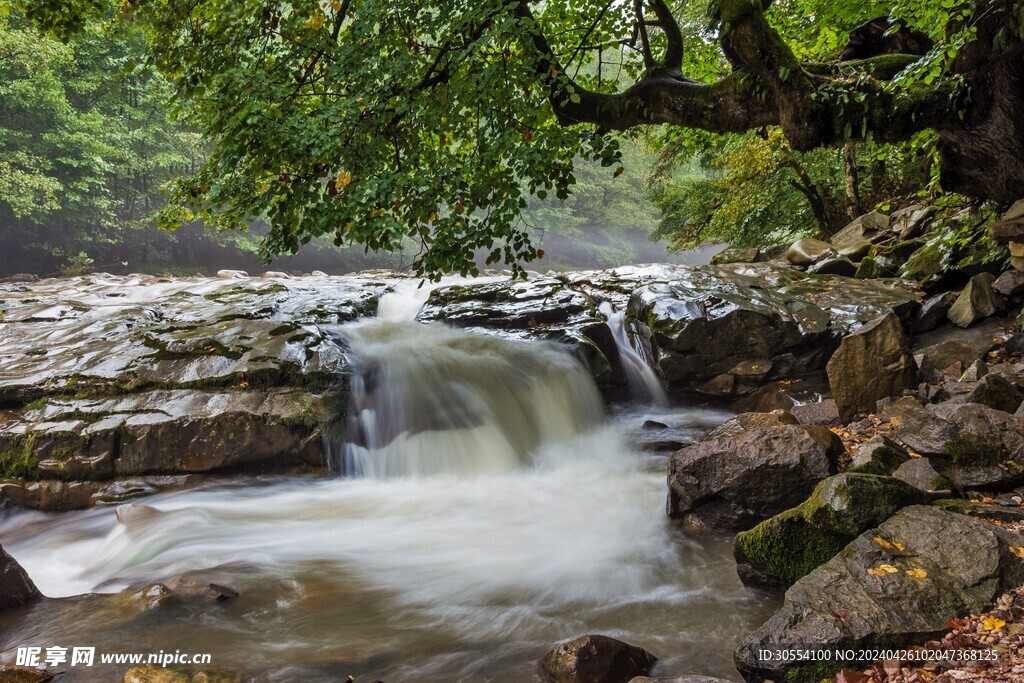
(487, 510)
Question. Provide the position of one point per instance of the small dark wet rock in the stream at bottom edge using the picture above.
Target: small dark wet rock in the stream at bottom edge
(595, 660)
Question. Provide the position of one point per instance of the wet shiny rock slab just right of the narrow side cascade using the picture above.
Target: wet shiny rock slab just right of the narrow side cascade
(707, 320)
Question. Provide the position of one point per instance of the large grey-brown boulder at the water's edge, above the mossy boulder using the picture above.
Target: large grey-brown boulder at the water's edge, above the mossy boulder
(754, 466)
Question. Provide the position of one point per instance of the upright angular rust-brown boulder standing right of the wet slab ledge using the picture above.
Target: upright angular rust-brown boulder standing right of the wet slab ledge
(871, 364)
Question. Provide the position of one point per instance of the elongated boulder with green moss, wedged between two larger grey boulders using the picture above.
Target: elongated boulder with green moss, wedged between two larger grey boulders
(782, 550)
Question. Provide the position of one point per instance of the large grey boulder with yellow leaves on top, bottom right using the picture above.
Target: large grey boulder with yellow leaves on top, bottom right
(959, 567)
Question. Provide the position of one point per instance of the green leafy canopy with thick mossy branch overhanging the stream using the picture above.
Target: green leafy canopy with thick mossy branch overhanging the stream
(375, 122)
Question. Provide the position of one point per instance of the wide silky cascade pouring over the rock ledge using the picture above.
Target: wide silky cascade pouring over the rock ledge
(431, 400)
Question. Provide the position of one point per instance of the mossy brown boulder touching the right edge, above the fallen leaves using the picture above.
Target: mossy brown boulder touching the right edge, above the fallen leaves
(974, 446)
